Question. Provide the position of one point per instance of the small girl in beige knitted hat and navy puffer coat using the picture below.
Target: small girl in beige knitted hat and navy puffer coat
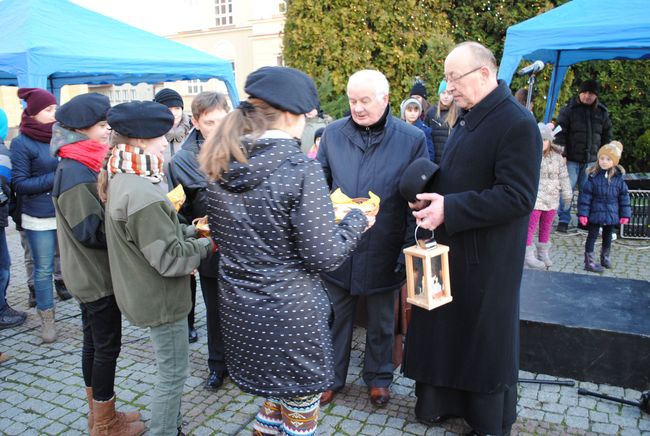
(603, 202)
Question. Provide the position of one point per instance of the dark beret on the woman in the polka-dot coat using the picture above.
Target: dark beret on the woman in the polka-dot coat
(283, 88)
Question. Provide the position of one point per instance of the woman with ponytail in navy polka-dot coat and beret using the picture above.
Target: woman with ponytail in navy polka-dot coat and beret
(270, 215)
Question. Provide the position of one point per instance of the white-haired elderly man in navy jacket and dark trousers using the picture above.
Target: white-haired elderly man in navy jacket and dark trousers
(368, 151)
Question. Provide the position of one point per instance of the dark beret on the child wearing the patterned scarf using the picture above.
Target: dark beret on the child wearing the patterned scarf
(140, 119)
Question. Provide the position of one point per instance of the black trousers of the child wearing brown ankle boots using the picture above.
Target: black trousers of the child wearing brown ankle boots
(102, 330)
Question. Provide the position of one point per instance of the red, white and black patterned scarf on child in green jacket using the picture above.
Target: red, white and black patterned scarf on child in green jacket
(128, 159)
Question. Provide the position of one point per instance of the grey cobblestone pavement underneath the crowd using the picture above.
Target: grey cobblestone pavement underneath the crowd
(41, 389)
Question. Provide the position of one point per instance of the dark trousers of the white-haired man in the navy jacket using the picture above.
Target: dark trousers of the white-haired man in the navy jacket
(378, 361)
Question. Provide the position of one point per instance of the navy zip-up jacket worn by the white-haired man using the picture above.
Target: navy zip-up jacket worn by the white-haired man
(359, 160)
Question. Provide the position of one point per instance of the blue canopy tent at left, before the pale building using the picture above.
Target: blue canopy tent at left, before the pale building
(49, 44)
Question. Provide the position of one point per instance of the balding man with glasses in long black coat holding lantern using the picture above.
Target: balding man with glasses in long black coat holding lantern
(464, 356)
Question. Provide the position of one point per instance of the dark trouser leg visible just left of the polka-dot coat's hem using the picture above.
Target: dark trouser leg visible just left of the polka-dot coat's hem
(210, 290)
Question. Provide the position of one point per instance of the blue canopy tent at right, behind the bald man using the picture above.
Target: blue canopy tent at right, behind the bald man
(578, 31)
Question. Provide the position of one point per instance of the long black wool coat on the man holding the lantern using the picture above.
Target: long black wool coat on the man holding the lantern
(488, 175)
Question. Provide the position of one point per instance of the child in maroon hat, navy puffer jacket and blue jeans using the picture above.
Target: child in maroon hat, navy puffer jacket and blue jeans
(33, 178)
